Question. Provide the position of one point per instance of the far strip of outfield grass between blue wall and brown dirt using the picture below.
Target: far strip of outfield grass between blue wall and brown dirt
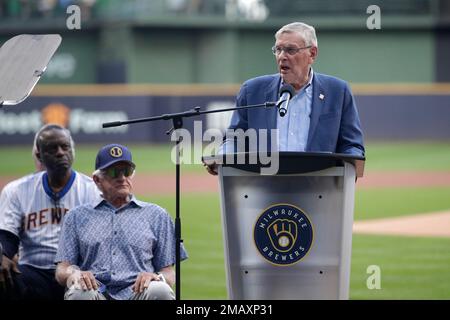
(422, 156)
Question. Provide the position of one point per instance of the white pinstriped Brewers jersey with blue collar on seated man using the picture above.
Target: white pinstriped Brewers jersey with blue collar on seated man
(33, 212)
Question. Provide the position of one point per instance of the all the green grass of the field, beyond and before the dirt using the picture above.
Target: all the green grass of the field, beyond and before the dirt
(411, 268)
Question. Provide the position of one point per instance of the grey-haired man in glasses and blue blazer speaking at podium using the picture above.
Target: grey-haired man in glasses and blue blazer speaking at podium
(315, 112)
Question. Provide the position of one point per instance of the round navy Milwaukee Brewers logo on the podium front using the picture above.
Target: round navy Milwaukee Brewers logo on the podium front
(283, 234)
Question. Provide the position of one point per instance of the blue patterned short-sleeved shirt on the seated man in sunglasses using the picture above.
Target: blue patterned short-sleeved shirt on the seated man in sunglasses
(117, 244)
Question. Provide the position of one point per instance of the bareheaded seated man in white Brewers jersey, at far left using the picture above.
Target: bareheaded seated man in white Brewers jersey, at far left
(31, 213)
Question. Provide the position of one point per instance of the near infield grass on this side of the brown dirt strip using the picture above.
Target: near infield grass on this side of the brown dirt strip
(411, 268)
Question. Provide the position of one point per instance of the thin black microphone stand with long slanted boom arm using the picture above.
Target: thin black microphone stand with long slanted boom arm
(177, 122)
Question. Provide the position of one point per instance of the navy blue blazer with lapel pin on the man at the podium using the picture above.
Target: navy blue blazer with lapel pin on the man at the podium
(335, 125)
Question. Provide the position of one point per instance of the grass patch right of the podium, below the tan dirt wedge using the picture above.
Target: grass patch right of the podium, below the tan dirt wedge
(411, 268)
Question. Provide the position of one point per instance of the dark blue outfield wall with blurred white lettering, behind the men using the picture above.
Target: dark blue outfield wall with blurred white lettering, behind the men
(384, 116)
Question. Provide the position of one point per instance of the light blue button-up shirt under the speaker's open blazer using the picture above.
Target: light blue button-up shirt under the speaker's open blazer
(293, 128)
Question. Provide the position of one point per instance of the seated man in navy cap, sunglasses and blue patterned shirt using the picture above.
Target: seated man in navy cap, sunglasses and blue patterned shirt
(119, 248)
